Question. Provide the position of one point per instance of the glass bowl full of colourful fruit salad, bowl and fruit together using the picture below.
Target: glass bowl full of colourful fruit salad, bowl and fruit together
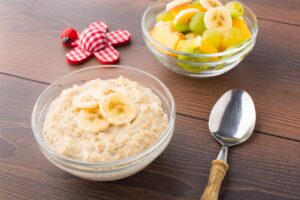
(199, 38)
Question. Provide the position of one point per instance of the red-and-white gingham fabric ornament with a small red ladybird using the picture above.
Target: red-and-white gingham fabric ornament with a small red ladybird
(94, 41)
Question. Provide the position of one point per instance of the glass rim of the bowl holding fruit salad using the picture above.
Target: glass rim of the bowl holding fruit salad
(199, 55)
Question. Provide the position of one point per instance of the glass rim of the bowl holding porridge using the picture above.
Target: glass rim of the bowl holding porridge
(43, 144)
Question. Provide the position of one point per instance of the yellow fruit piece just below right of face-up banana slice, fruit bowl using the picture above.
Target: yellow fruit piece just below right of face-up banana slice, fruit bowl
(231, 37)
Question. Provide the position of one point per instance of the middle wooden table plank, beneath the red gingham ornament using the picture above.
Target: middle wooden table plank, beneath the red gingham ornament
(30, 30)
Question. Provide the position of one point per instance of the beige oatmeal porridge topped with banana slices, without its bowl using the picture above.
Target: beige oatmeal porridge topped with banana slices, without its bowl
(104, 120)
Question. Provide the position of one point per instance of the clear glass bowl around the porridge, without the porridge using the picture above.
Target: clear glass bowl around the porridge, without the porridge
(103, 171)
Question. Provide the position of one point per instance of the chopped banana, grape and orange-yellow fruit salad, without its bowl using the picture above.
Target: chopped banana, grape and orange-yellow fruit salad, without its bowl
(200, 27)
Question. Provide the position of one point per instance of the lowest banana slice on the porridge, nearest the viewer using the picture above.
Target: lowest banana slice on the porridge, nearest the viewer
(91, 121)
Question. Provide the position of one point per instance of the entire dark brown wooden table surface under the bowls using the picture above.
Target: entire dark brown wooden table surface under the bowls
(266, 167)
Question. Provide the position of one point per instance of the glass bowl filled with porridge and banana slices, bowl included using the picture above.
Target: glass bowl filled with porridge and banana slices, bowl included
(104, 123)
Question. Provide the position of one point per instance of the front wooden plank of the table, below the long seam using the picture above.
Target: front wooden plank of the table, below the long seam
(264, 168)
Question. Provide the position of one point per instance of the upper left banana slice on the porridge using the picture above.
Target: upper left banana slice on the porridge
(85, 101)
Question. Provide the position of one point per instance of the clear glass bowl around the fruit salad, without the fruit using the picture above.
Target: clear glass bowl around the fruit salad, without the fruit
(210, 64)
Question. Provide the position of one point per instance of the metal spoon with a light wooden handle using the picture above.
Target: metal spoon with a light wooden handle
(231, 122)
